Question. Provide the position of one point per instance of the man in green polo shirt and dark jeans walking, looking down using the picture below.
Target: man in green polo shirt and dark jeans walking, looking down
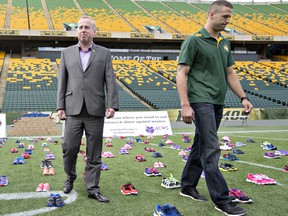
(206, 60)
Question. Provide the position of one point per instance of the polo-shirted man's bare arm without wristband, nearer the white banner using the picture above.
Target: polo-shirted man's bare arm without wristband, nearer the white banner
(187, 112)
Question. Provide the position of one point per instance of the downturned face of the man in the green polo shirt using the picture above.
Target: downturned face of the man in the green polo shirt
(220, 18)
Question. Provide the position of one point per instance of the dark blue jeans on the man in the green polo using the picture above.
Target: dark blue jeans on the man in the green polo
(205, 153)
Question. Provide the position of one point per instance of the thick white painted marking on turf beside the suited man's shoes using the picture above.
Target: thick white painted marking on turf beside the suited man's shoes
(71, 197)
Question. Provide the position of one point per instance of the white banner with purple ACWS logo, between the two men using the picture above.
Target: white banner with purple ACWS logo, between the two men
(138, 123)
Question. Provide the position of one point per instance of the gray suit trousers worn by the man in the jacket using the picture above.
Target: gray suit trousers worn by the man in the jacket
(93, 127)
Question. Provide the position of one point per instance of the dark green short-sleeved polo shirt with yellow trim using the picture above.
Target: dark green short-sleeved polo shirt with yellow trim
(208, 60)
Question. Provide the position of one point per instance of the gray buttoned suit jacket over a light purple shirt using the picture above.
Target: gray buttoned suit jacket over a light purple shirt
(76, 85)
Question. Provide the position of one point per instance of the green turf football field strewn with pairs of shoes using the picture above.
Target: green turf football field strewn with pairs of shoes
(19, 196)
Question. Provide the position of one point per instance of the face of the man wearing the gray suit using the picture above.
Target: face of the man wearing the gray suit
(85, 31)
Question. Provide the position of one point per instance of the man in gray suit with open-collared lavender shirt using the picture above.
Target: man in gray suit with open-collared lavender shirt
(86, 75)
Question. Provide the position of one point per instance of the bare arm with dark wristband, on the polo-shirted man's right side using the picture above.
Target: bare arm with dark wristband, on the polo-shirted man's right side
(235, 86)
